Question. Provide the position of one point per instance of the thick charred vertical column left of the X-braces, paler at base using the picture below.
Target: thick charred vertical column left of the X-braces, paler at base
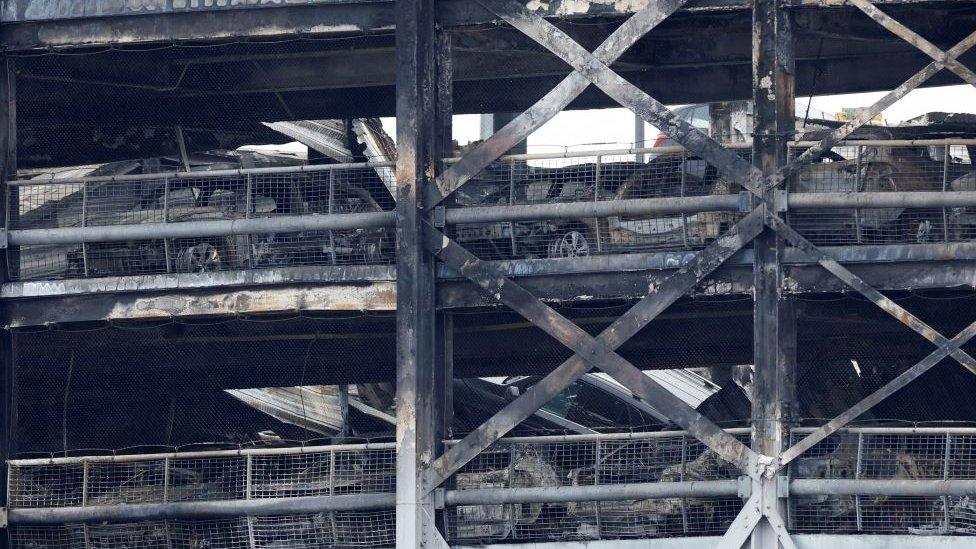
(417, 143)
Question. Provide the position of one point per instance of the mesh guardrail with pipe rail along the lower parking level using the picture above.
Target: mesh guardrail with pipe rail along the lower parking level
(602, 486)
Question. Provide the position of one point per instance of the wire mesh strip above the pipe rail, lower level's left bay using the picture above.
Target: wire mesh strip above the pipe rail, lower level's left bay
(218, 475)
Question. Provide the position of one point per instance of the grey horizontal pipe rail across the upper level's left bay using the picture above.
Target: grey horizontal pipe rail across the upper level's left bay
(194, 229)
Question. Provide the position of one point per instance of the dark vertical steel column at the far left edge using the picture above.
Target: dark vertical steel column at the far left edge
(8, 355)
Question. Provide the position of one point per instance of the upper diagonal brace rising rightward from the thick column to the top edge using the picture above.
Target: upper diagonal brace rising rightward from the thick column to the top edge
(551, 104)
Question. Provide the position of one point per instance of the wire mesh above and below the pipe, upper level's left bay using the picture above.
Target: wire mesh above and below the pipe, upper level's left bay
(186, 197)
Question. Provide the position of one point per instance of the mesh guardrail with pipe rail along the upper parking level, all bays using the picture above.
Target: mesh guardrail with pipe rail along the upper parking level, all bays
(522, 207)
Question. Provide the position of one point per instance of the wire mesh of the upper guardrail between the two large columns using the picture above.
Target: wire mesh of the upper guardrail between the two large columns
(595, 177)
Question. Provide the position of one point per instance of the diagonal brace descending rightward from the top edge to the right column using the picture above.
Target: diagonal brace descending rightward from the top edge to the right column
(627, 94)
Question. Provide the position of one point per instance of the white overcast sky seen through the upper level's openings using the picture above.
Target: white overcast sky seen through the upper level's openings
(579, 130)
